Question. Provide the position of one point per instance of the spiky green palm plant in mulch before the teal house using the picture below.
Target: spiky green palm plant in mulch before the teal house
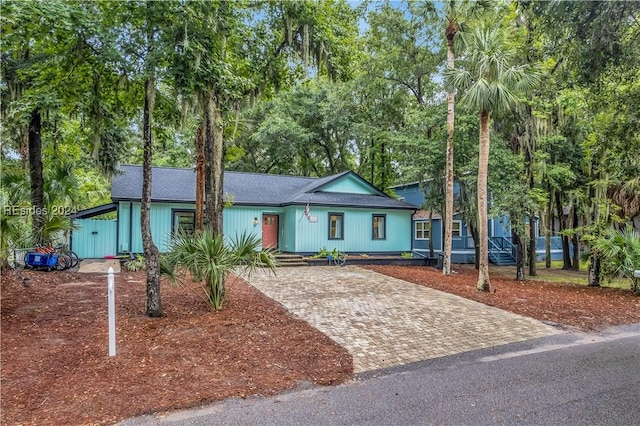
(209, 259)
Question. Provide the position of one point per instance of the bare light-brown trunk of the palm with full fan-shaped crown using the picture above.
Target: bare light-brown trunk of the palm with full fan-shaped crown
(483, 232)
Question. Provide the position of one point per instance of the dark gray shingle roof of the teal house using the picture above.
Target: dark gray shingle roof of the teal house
(178, 185)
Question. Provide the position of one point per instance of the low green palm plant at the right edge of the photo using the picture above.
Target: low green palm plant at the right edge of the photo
(619, 254)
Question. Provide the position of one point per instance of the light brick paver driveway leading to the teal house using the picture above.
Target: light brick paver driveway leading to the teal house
(384, 321)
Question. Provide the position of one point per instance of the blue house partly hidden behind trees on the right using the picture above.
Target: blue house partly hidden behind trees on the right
(501, 249)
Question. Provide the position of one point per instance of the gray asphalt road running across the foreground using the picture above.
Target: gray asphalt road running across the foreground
(568, 379)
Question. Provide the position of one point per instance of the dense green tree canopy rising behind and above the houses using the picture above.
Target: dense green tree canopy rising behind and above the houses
(317, 87)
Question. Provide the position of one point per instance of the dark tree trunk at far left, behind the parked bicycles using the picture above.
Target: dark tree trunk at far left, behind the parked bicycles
(38, 218)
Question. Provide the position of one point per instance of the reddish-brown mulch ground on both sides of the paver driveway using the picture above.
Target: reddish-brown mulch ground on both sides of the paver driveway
(56, 369)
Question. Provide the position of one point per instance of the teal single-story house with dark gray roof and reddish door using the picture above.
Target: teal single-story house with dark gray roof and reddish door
(291, 214)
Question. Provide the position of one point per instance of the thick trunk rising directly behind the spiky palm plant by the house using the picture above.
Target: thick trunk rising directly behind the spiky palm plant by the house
(214, 163)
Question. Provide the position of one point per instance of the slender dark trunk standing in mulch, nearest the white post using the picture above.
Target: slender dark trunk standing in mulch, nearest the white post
(154, 302)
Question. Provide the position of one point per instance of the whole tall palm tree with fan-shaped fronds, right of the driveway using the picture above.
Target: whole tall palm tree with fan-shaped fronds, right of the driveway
(489, 81)
